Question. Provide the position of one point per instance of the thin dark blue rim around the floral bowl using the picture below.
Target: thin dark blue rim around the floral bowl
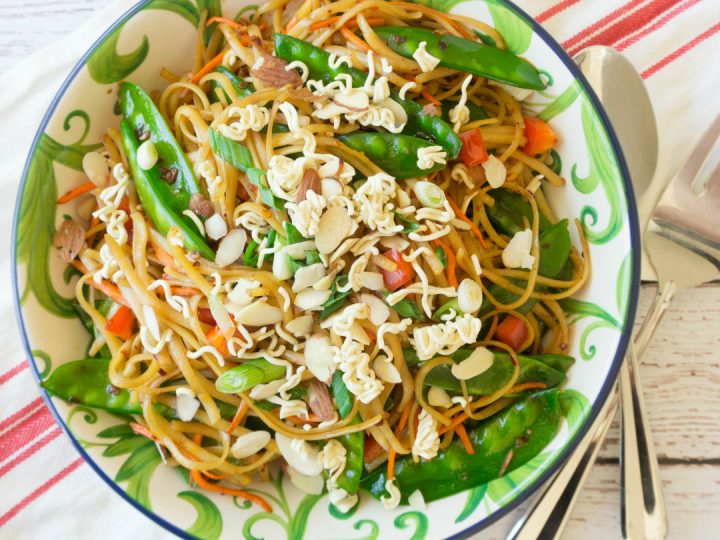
(633, 222)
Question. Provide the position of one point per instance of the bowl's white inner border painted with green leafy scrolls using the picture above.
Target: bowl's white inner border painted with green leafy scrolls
(137, 48)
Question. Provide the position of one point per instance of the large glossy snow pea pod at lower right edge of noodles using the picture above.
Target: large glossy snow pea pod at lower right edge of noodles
(524, 428)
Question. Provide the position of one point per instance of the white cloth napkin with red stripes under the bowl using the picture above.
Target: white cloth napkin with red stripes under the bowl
(47, 490)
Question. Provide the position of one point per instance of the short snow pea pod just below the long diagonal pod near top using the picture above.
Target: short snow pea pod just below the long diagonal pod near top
(396, 154)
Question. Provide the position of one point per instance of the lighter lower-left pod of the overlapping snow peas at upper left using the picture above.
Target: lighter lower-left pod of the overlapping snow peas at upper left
(158, 201)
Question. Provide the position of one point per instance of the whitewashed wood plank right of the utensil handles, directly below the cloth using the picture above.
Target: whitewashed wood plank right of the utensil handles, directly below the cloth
(681, 377)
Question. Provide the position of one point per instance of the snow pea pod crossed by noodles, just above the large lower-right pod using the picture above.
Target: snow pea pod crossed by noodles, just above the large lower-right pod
(533, 368)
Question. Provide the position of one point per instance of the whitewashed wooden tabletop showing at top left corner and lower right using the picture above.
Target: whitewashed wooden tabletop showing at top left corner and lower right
(681, 369)
